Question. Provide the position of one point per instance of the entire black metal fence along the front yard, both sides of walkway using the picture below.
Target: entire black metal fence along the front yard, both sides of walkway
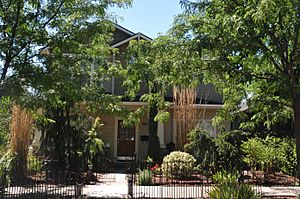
(42, 179)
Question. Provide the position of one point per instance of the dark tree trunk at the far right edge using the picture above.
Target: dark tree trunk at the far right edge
(296, 130)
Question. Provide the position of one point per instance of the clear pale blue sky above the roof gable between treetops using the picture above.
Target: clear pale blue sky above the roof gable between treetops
(149, 17)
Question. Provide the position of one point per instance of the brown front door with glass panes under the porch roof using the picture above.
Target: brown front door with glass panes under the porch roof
(126, 140)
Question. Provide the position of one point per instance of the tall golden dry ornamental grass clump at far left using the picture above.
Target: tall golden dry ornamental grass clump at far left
(20, 132)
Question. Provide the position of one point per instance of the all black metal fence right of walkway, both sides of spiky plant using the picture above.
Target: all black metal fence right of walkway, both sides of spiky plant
(181, 180)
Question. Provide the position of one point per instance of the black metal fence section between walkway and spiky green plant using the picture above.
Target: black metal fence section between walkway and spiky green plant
(172, 180)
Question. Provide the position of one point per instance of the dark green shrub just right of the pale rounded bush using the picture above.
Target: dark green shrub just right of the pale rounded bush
(202, 146)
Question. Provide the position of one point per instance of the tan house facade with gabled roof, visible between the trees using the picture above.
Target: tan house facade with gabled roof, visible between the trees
(122, 142)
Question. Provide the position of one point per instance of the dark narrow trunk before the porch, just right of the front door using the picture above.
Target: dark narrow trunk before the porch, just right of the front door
(153, 146)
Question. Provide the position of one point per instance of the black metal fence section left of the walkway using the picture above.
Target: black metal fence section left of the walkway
(37, 180)
